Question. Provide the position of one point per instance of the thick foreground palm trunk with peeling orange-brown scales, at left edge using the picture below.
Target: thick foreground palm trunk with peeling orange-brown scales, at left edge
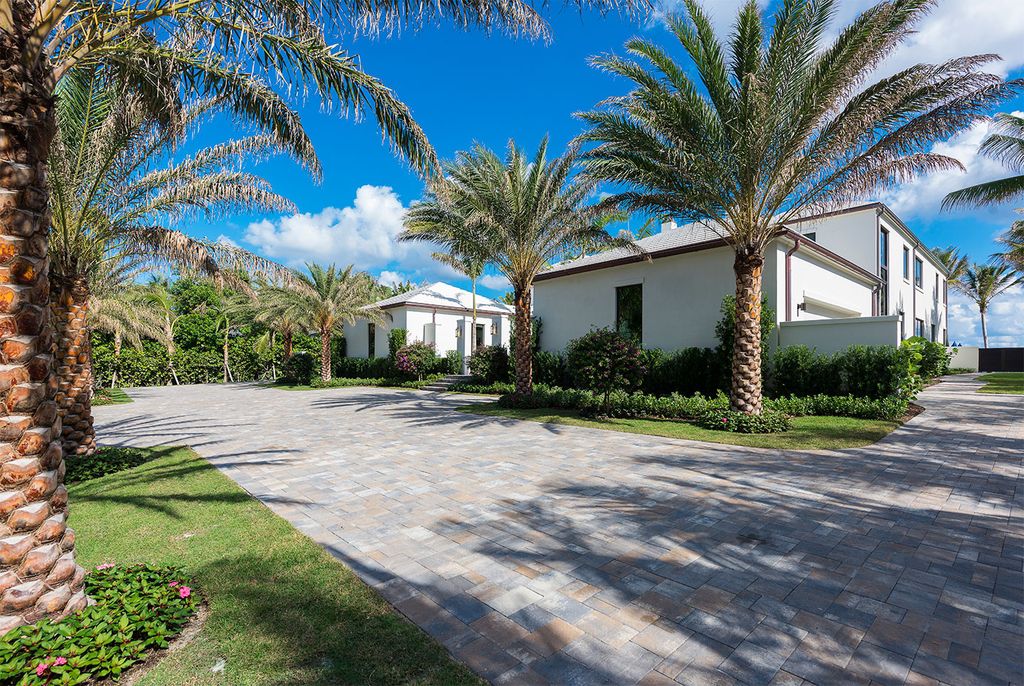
(37, 551)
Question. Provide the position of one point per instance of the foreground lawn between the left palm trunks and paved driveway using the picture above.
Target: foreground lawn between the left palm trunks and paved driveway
(282, 610)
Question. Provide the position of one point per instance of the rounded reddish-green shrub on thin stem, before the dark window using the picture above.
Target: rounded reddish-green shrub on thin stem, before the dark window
(605, 361)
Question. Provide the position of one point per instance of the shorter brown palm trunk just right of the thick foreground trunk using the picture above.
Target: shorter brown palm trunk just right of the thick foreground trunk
(71, 317)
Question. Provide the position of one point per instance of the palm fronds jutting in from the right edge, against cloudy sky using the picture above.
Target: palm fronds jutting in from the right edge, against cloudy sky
(1006, 145)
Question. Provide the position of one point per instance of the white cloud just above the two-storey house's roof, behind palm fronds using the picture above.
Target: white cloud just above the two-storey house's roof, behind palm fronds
(924, 196)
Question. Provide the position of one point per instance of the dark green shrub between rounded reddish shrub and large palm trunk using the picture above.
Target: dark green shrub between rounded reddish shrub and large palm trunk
(687, 371)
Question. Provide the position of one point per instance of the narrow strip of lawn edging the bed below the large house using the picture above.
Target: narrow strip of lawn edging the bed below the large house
(807, 433)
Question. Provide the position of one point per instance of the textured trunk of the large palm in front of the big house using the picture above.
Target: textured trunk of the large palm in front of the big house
(746, 388)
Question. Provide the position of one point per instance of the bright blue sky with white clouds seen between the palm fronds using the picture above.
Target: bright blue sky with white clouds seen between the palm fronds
(464, 87)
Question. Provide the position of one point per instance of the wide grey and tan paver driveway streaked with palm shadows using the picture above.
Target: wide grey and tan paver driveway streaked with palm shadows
(542, 554)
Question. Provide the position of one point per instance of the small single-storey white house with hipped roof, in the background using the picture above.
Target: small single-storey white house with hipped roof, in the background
(440, 314)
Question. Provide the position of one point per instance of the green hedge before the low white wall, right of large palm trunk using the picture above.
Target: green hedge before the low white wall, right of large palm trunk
(874, 372)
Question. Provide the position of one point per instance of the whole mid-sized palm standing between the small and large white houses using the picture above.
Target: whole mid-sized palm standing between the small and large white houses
(518, 213)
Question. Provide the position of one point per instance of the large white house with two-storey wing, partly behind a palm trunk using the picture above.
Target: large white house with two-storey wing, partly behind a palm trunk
(834, 280)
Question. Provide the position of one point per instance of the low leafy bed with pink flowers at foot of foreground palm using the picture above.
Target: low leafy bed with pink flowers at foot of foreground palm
(138, 610)
